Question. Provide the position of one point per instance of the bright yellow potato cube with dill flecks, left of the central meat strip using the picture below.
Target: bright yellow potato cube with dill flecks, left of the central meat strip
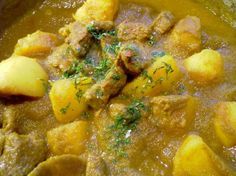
(67, 98)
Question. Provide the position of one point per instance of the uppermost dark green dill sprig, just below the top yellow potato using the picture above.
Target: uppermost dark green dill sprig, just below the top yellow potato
(98, 34)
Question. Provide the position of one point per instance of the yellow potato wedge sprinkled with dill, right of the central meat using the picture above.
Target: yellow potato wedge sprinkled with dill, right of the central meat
(159, 77)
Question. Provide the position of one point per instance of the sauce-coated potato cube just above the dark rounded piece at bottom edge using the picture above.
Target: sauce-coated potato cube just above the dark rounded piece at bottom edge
(68, 139)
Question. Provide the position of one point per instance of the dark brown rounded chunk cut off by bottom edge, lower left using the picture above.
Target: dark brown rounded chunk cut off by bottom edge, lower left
(64, 165)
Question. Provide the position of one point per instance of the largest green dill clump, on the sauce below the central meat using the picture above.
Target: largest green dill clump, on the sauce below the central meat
(124, 124)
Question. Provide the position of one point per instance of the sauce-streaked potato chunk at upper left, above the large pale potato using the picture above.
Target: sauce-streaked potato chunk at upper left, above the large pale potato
(36, 44)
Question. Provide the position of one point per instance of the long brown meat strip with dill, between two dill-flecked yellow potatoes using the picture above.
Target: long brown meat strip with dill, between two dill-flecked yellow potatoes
(98, 95)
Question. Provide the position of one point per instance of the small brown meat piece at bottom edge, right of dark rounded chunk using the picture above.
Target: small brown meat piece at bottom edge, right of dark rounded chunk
(96, 166)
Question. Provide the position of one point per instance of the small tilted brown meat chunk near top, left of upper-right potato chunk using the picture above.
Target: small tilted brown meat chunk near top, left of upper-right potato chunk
(163, 23)
